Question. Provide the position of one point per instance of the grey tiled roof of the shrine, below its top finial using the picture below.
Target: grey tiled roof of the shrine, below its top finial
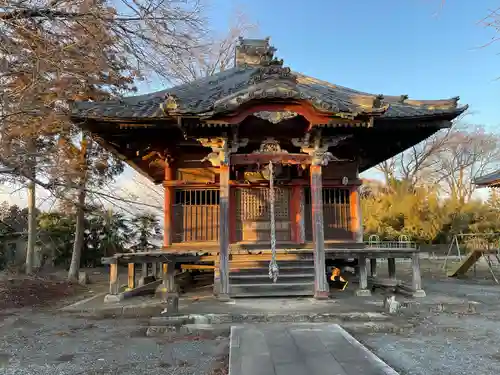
(225, 91)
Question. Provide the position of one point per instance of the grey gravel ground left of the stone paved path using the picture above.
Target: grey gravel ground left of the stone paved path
(43, 343)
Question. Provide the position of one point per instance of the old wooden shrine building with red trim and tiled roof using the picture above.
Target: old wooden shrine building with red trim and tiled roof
(210, 144)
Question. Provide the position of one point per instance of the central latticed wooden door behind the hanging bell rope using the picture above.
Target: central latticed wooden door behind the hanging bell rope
(253, 215)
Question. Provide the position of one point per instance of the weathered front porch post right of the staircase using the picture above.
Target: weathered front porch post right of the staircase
(320, 284)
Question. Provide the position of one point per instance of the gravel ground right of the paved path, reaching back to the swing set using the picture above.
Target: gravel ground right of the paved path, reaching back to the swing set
(447, 343)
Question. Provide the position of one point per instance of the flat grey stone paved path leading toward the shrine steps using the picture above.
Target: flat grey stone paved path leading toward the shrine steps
(300, 349)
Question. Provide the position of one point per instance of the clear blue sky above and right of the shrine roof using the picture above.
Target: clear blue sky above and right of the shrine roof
(414, 47)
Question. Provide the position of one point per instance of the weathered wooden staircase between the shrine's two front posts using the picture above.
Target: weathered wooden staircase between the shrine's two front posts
(250, 278)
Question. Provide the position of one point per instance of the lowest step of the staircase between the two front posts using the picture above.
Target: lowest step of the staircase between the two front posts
(270, 289)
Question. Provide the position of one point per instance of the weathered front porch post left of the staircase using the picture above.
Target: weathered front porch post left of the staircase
(224, 231)
